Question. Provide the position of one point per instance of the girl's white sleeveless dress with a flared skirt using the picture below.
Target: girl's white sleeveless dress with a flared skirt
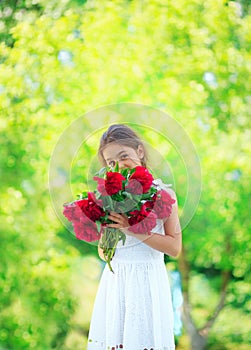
(133, 307)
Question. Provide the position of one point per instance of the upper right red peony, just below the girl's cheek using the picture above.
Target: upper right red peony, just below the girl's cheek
(143, 178)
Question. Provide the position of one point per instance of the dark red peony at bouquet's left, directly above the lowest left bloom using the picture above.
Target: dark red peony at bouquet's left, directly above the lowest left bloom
(91, 207)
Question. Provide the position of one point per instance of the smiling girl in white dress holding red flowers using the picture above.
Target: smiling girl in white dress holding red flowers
(133, 308)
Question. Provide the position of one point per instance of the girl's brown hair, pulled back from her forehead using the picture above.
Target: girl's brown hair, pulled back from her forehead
(123, 135)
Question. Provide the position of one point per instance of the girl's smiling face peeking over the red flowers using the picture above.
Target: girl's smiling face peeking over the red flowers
(126, 157)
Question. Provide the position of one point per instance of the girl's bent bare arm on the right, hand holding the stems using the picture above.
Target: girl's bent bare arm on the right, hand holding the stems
(171, 242)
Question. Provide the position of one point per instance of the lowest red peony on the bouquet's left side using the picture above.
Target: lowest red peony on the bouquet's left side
(85, 229)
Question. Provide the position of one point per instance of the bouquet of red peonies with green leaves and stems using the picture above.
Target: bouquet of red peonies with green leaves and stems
(128, 191)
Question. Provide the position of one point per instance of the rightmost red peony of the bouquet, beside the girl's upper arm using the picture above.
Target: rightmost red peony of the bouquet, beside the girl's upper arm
(163, 204)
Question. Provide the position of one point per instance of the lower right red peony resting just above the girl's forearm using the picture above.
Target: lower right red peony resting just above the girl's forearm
(142, 221)
